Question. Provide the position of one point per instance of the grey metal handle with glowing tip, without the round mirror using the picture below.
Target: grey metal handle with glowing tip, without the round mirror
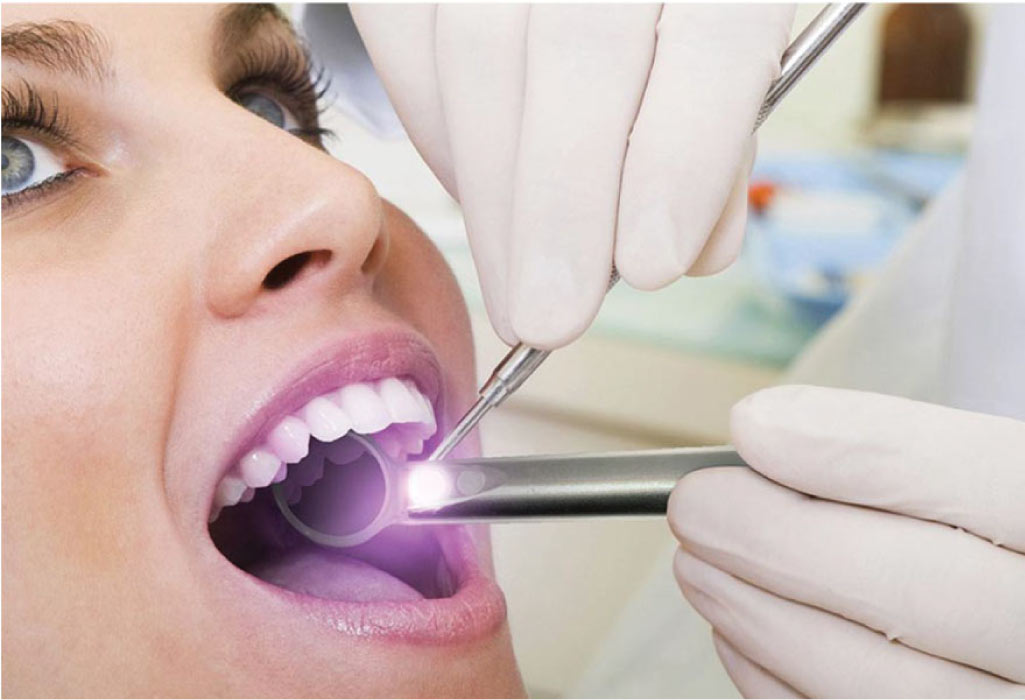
(554, 486)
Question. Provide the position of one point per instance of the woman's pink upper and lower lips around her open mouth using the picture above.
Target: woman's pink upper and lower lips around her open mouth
(477, 609)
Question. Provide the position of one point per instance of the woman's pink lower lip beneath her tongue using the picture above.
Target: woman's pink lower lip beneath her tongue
(476, 611)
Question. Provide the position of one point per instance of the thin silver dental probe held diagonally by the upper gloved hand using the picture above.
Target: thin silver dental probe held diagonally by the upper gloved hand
(522, 361)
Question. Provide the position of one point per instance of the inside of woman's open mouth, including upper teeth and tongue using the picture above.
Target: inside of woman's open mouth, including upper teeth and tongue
(302, 452)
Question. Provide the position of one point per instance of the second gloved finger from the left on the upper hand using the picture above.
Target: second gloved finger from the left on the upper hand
(483, 112)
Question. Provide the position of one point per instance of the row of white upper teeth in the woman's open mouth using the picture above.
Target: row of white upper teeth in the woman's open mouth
(367, 408)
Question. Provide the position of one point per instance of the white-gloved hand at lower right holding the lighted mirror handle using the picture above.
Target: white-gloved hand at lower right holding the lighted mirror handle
(878, 550)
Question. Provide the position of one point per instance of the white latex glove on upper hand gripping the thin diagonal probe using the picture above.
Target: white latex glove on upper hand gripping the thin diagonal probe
(569, 133)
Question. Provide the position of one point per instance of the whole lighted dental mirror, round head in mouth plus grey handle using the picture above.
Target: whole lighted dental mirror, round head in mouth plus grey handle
(370, 492)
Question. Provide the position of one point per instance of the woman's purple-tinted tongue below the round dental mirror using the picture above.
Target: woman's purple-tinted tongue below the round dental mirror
(316, 571)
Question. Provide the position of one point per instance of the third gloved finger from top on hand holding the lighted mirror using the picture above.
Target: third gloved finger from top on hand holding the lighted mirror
(821, 654)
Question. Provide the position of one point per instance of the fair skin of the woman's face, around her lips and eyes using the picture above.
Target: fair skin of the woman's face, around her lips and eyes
(138, 335)
